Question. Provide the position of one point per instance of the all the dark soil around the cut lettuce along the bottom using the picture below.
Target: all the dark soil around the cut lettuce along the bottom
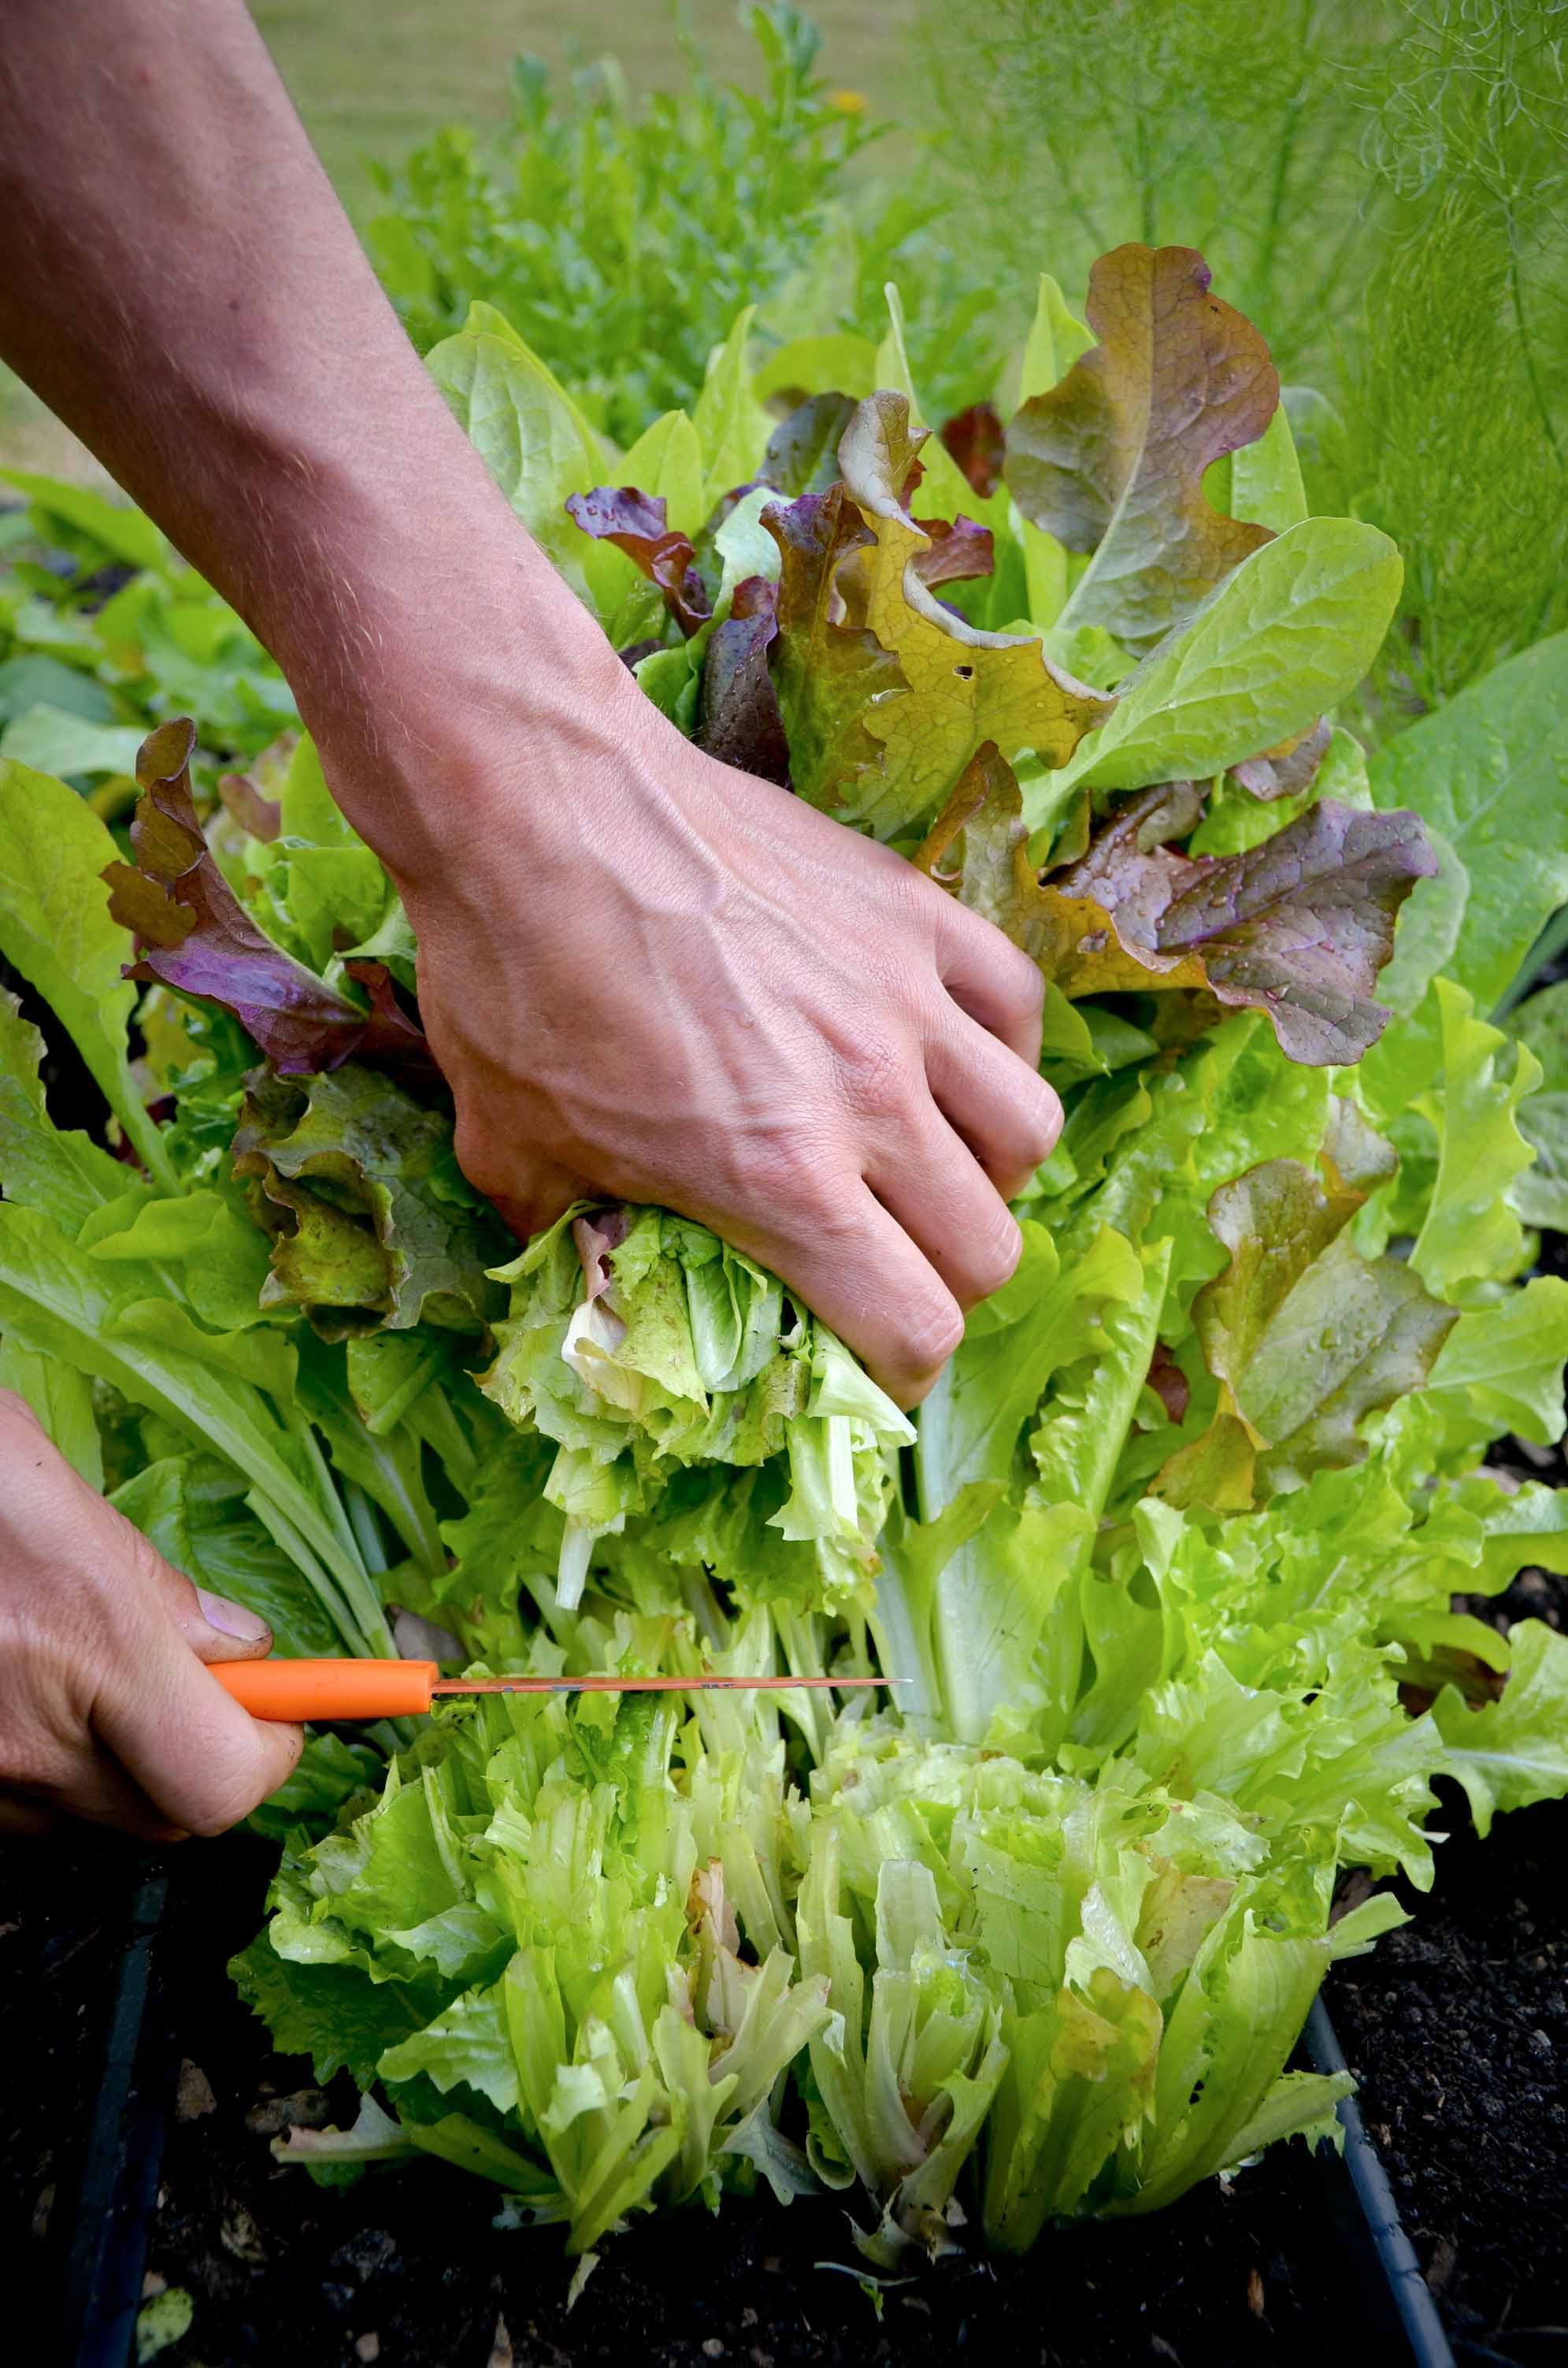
(1455, 2028)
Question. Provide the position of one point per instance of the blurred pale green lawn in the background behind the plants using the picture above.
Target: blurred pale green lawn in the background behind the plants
(373, 77)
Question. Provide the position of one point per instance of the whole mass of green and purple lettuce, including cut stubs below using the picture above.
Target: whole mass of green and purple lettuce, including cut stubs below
(1167, 1562)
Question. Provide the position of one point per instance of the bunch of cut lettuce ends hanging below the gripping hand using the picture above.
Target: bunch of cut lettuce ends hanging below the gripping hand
(643, 1344)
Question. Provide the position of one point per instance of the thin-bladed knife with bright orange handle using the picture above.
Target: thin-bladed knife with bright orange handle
(397, 1690)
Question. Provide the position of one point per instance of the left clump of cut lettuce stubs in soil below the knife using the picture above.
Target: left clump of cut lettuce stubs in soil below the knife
(532, 1945)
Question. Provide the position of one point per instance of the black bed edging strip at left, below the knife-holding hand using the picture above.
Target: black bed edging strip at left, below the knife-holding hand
(124, 2147)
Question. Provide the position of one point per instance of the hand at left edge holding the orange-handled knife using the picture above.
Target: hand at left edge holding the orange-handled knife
(108, 1711)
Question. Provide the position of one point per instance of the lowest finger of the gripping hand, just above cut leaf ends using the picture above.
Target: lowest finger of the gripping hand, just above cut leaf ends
(856, 1268)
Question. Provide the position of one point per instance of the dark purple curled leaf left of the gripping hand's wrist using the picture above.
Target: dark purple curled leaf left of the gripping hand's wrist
(193, 934)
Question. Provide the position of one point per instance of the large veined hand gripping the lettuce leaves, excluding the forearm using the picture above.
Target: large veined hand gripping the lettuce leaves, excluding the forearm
(655, 979)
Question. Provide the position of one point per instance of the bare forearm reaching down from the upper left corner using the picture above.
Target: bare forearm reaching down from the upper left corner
(186, 292)
